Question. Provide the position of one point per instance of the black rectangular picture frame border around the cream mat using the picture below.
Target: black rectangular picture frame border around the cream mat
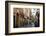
(6, 18)
